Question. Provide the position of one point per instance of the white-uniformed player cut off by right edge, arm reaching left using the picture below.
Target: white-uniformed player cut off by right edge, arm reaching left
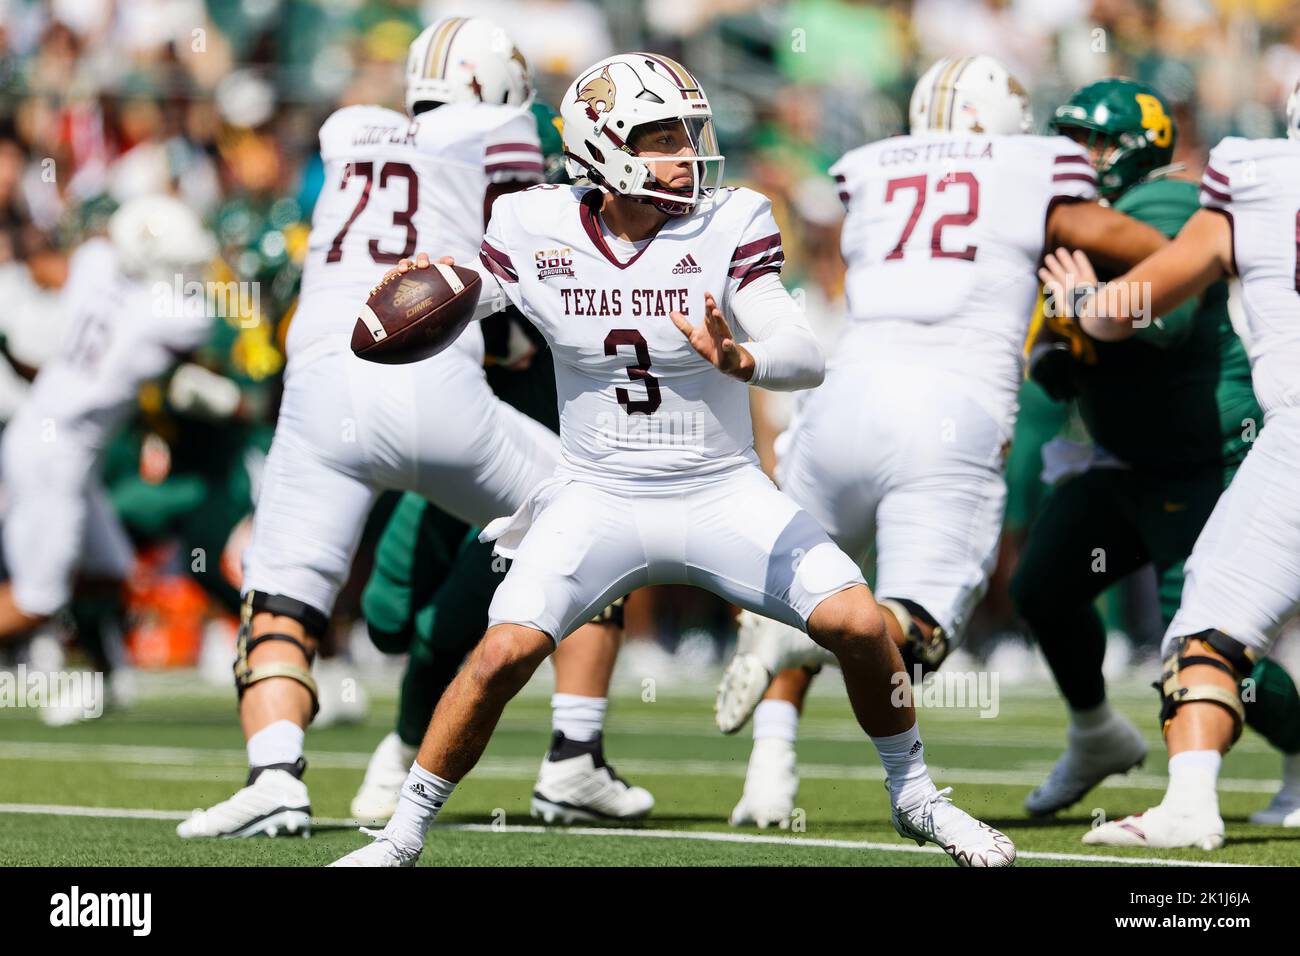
(1243, 577)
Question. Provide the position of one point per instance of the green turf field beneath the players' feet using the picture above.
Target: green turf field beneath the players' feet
(110, 791)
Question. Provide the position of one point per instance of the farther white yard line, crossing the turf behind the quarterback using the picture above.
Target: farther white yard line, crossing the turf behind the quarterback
(207, 760)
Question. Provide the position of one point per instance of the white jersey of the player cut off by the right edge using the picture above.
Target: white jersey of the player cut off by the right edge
(1258, 184)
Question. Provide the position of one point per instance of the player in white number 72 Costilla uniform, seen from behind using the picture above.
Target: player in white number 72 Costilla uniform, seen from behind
(905, 444)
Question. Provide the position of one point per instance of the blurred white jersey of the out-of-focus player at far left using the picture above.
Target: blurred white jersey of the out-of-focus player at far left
(120, 334)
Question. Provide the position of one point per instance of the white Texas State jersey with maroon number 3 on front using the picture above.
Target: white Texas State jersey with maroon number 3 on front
(636, 400)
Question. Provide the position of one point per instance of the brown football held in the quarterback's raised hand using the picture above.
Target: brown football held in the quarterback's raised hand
(417, 314)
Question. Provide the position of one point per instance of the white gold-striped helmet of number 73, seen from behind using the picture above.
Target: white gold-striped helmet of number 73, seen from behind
(467, 59)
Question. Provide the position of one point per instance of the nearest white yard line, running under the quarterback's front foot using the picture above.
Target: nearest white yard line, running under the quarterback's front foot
(703, 836)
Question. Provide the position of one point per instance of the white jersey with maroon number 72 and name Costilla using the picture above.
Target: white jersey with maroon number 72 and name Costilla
(943, 237)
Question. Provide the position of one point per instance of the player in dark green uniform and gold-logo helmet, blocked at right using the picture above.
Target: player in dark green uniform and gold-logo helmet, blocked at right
(1172, 414)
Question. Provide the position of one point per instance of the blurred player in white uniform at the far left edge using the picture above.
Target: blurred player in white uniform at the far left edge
(59, 527)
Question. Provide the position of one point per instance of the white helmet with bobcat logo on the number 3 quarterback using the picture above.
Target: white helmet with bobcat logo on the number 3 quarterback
(606, 105)
